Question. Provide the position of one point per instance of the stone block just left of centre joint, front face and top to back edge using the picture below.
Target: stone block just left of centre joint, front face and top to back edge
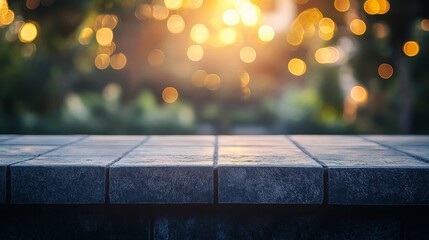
(166, 169)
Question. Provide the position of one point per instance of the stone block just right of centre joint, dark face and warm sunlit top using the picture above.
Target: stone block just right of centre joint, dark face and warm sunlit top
(263, 174)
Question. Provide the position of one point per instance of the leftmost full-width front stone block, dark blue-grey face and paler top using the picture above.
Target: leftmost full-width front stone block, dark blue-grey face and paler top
(59, 180)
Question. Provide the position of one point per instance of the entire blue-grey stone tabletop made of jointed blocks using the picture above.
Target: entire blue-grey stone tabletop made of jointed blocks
(245, 169)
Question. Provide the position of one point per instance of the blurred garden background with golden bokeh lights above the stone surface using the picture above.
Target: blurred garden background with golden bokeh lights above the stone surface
(214, 66)
